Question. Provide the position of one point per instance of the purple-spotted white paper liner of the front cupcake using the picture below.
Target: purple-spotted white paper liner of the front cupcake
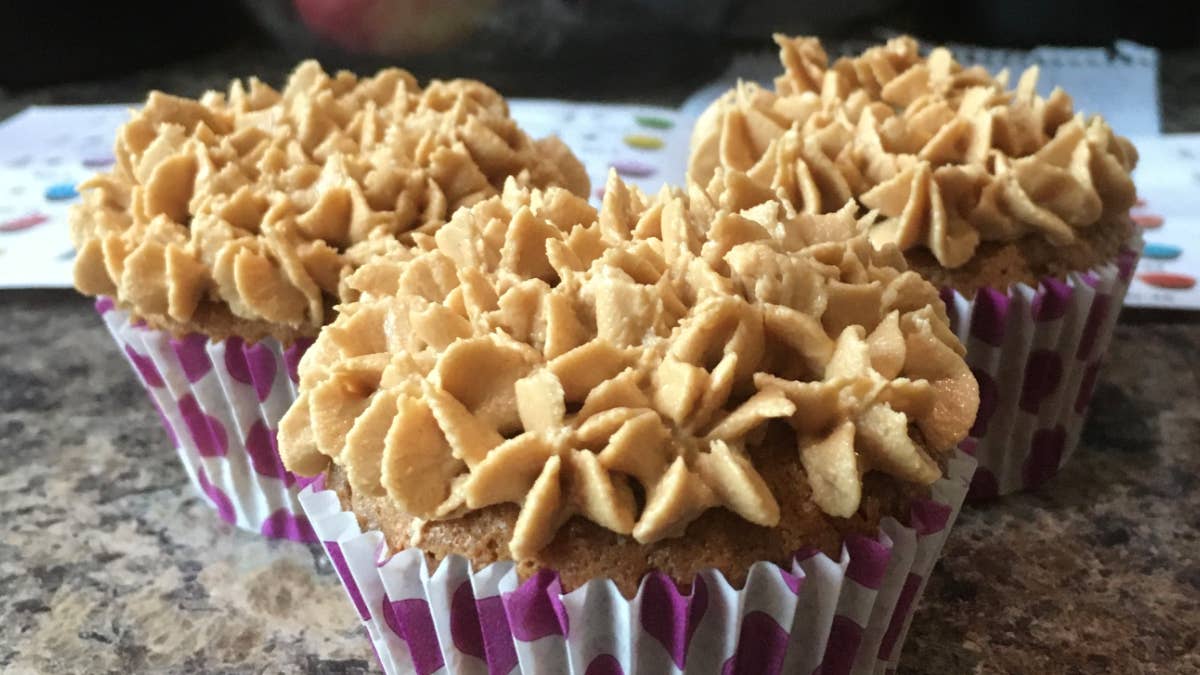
(819, 614)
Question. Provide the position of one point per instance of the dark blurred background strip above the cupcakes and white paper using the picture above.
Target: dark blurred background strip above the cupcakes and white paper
(533, 47)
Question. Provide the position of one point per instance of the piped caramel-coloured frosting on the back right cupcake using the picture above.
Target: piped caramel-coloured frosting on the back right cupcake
(947, 156)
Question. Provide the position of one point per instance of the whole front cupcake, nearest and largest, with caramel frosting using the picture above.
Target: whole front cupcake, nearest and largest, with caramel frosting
(704, 432)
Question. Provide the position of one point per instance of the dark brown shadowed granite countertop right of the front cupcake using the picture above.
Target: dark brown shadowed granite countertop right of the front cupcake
(1096, 572)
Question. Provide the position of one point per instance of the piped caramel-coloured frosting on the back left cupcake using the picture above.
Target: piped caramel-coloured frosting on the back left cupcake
(265, 201)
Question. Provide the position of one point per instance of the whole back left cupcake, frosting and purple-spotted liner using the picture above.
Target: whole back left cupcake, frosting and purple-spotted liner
(223, 238)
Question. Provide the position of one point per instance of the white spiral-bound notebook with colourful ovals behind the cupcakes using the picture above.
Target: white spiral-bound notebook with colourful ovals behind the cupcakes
(45, 152)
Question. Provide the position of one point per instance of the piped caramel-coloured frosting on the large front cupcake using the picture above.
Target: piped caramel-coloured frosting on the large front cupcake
(623, 366)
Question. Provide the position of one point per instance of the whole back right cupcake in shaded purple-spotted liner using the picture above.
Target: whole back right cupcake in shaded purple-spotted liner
(1013, 205)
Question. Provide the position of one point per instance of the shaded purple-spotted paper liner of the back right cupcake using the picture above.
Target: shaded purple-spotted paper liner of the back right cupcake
(1037, 354)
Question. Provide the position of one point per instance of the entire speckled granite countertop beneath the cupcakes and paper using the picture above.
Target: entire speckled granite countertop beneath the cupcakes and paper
(110, 563)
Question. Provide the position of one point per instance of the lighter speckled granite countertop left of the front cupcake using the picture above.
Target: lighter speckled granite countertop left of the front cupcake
(109, 560)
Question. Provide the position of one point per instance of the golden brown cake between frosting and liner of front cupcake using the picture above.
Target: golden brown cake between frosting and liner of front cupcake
(584, 551)
